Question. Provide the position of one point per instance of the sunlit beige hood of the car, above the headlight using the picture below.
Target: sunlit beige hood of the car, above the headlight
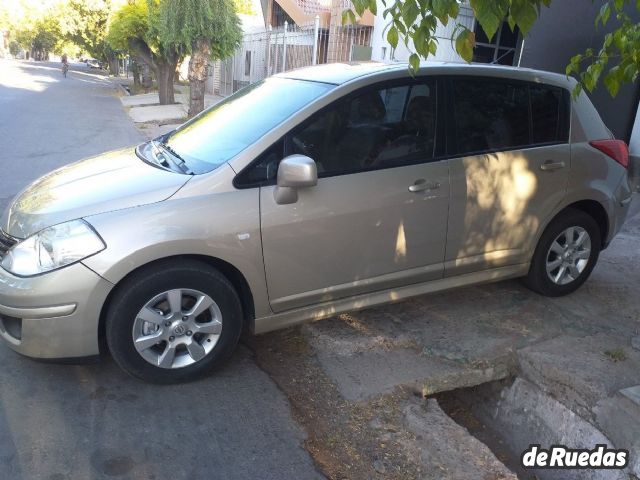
(108, 182)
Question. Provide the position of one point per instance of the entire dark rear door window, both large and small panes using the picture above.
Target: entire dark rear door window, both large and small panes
(492, 115)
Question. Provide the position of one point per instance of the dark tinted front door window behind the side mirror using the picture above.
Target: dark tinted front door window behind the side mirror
(379, 128)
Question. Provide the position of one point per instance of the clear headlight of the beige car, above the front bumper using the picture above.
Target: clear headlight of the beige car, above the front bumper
(52, 248)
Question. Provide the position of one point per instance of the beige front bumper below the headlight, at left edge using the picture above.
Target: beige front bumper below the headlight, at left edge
(55, 315)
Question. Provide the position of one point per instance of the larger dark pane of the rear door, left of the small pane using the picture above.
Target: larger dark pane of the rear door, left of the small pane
(489, 115)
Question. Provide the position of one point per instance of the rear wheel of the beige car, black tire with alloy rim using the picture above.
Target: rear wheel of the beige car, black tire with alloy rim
(555, 283)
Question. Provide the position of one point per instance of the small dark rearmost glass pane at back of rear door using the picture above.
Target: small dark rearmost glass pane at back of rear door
(547, 114)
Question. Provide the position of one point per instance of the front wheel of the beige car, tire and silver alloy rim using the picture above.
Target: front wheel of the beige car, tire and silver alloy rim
(173, 322)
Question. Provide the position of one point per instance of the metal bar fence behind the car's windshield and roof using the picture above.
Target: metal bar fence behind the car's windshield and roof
(275, 50)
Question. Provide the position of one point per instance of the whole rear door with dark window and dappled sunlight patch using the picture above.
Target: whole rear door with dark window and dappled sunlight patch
(511, 157)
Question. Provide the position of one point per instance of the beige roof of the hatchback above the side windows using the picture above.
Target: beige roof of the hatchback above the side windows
(340, 73)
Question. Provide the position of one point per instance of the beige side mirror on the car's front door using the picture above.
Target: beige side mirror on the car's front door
(294, 172)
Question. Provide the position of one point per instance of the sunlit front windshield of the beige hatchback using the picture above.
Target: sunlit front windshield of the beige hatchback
(224, 130)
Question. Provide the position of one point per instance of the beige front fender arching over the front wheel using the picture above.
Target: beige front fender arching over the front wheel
(224, 226)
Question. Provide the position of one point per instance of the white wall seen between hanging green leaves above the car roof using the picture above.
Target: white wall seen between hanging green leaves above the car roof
(446, 52)
